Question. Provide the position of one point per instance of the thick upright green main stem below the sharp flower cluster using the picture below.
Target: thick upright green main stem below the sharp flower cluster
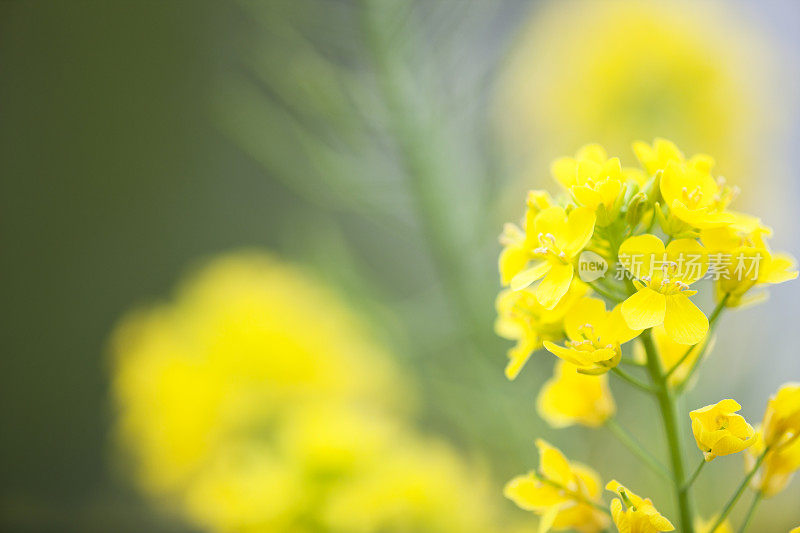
(666, 404)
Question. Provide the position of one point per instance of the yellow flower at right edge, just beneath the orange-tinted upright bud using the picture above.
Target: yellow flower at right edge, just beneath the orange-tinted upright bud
(778, 467)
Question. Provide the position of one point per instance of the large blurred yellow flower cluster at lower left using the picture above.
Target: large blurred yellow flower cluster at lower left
(256, 402)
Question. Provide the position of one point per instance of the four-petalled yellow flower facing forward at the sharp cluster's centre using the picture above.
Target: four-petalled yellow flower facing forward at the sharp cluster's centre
(664, 277)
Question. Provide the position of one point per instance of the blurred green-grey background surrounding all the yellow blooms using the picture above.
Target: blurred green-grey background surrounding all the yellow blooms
(138, 138)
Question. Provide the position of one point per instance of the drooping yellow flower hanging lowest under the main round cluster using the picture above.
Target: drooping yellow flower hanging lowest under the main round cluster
(570, 398)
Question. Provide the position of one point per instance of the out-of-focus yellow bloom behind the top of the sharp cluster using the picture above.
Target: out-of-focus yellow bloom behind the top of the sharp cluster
(615, 70)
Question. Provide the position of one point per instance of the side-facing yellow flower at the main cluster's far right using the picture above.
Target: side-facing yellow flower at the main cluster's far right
(743, 260)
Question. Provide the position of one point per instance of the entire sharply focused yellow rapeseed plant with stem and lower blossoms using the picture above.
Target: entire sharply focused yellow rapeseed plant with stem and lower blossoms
(608, 267)
